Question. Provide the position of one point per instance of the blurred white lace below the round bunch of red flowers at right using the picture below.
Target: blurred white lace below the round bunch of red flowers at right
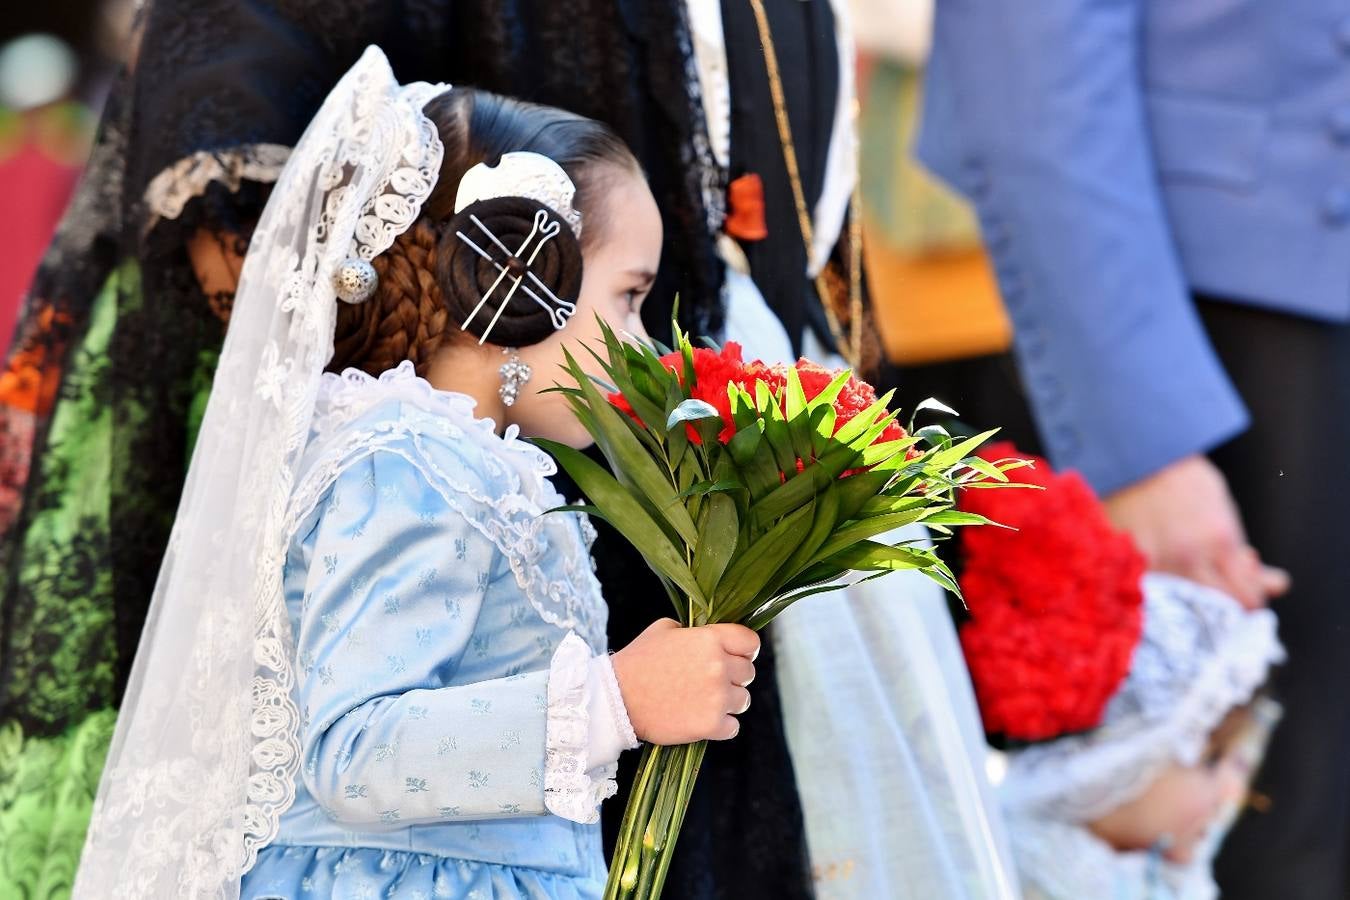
(1082, 778)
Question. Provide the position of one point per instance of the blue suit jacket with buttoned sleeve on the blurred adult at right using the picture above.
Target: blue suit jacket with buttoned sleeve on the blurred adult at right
(1124, 153)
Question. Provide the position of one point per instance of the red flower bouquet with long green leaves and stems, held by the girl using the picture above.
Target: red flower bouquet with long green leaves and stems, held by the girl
(749, 488)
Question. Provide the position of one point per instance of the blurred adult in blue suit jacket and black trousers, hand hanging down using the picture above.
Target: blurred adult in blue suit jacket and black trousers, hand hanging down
(1163, 188)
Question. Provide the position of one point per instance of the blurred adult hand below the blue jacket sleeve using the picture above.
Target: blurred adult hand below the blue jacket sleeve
(1185, 520)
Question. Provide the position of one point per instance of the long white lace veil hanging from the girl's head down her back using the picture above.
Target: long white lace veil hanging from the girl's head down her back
(206, 751)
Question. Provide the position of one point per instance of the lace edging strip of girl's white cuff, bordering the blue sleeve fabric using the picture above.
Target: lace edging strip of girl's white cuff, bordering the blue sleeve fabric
(570, 791)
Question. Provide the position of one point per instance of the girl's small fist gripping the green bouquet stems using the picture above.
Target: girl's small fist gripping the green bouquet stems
(685, 685)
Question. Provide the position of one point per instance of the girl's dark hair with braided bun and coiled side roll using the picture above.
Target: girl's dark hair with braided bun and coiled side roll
(430, 281)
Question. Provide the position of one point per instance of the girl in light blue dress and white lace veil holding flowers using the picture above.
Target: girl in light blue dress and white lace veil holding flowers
(449, 719)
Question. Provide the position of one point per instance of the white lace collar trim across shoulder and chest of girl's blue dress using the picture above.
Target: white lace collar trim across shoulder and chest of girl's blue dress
(547, 554)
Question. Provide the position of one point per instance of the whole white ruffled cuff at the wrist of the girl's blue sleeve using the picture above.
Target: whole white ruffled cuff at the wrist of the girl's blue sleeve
(580, 706)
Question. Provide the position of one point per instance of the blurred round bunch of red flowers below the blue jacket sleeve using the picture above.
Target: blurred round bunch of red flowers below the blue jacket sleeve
(1056, 607)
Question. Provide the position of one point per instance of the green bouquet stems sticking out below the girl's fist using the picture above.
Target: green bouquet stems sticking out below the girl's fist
(651, 824)
